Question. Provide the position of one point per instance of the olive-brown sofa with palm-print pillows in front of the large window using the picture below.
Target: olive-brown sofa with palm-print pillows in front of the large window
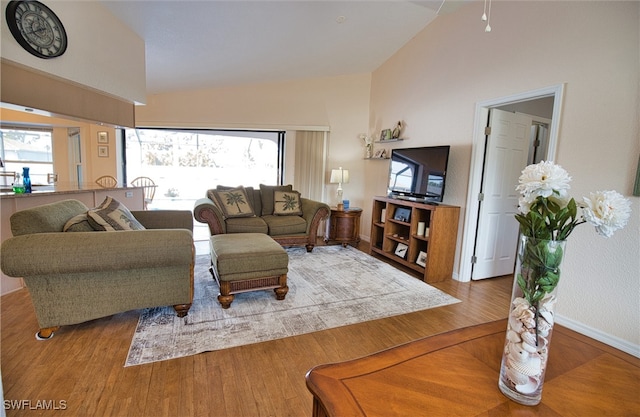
(278, 211)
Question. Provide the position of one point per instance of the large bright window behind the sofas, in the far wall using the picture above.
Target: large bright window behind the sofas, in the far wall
(185, 163)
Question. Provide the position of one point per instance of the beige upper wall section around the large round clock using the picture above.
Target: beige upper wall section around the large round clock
(95, 56)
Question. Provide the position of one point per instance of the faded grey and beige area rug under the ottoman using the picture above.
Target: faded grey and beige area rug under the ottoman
(329, 287)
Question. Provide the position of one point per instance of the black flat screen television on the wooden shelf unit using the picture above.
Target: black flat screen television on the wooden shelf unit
(418, 174)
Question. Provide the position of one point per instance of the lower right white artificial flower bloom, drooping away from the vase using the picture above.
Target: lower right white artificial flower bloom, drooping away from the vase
(607, 211)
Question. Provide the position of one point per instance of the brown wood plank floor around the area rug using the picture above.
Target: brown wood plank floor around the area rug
(81, 368)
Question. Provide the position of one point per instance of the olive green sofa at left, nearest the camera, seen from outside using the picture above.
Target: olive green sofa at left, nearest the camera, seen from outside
(74, 277)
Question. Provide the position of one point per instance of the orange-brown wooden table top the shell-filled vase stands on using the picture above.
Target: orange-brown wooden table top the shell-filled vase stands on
(456, 374)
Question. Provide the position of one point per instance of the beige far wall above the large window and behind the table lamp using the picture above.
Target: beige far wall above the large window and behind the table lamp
(339, 104)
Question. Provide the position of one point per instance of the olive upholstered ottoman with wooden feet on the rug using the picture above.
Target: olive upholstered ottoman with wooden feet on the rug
(242, 262)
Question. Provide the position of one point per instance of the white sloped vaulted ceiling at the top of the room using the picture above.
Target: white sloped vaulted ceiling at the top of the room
(215, 43)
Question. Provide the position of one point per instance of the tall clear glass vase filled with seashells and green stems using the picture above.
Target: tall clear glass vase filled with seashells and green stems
(531, 318)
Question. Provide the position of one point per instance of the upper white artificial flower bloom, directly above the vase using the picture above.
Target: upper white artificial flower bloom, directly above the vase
(544, 179)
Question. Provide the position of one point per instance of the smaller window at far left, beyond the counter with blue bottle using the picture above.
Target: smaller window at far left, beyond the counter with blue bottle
(30, 148)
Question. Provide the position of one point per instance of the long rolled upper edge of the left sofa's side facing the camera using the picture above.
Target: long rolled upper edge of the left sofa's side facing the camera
(79, 252)
